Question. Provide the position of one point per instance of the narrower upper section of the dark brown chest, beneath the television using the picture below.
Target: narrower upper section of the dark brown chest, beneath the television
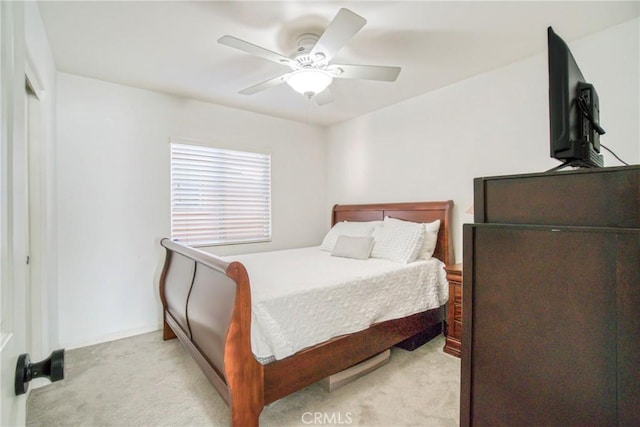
(605, 197)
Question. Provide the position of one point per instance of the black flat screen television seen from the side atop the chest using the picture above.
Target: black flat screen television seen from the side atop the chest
(574, 110)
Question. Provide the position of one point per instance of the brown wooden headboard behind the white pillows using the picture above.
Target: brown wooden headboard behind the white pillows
(416, 212)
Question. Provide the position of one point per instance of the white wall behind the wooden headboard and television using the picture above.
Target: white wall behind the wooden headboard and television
(432, 147)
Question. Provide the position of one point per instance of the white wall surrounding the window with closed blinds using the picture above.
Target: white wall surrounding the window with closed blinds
(113, 196)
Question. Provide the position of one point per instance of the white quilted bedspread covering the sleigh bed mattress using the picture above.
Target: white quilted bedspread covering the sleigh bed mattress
(302, 297)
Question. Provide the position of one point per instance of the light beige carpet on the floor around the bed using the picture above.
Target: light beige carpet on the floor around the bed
(145, 381)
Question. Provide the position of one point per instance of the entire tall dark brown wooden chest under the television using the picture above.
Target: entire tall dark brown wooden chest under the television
(552, 295)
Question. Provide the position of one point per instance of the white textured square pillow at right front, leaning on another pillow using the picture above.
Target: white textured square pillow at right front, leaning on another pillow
(399, 244)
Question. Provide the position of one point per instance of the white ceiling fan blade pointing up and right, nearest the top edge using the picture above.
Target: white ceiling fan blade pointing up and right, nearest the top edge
(343, 27)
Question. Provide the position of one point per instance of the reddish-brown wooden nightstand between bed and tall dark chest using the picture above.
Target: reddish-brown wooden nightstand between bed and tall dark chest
(453, 329)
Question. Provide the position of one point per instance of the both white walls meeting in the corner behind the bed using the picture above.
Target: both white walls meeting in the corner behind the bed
(113, 175)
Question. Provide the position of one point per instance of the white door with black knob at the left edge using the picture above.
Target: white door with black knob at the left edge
(14, 222)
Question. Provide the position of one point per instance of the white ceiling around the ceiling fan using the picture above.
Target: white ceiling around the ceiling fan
(172, 47)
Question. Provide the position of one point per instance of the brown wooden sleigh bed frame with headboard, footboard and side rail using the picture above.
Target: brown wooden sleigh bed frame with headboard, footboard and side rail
(207, 306)
